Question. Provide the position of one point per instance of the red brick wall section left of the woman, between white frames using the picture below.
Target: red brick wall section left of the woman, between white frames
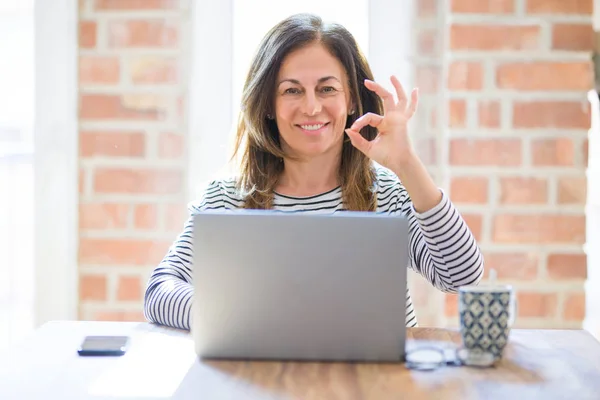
(132, 156)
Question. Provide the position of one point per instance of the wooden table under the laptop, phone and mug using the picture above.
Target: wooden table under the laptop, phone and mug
(161, 364)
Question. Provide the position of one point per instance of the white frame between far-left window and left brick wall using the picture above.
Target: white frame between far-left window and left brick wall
(56, 161)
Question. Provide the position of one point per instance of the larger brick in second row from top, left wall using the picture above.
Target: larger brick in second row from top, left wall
(143, 33)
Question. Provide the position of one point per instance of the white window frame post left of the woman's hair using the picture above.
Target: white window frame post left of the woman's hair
(210, 90)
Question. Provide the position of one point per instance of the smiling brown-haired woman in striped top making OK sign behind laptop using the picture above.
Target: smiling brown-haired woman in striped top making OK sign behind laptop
(316, 134)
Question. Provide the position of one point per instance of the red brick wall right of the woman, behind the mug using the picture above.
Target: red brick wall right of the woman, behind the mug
(510, 80)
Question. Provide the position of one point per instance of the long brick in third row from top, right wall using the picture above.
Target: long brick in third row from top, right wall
(537, 76)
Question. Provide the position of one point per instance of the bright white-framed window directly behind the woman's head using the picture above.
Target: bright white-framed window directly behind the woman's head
(381, 28)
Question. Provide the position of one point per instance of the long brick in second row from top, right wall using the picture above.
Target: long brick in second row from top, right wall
(494, 37)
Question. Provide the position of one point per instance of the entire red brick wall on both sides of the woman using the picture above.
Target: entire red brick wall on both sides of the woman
(502, 126)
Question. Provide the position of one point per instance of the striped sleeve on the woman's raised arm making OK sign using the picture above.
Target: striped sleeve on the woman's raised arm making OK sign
(442, 247)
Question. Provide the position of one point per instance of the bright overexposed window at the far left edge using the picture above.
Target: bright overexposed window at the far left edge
(16, 170)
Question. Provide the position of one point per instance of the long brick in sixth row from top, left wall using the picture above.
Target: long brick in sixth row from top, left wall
(138, 181)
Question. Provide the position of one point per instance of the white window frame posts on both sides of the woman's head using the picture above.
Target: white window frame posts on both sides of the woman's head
(210, 118)
